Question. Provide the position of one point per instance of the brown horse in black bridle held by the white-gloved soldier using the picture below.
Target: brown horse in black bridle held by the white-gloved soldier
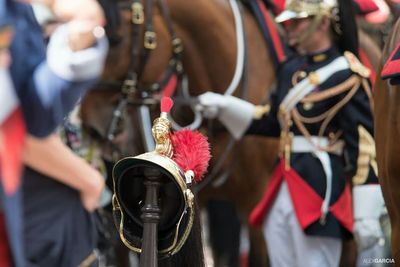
(208, 55)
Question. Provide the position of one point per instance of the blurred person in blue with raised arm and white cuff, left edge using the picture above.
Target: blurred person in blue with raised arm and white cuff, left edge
(36, 93)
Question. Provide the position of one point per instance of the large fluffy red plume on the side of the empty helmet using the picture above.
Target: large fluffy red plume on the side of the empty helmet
(191, 152)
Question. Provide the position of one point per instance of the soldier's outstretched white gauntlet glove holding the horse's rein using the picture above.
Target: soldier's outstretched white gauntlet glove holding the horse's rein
(236, 114)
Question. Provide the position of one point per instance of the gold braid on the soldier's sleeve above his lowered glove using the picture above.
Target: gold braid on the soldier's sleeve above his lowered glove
(366, 156)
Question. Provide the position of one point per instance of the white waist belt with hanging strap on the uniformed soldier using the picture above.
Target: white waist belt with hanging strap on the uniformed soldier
(302, 145)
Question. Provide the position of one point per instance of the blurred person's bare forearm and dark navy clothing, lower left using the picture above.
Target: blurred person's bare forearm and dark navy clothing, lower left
(61, 190)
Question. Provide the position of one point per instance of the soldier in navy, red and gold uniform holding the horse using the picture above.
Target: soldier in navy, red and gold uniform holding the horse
(321, 110)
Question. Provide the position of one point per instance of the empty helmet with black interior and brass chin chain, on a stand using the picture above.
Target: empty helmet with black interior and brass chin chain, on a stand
(175, 202)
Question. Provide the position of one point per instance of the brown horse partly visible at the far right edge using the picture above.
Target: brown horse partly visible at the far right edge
(387, 132)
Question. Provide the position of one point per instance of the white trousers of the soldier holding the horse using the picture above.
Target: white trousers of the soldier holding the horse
(289, 246)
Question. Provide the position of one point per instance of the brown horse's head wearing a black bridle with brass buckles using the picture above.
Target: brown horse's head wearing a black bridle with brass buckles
(131, 80)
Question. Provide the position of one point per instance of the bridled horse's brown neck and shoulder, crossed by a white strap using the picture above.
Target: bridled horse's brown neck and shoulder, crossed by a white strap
(208, 32)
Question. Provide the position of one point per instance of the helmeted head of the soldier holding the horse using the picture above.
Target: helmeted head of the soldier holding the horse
(313, 25)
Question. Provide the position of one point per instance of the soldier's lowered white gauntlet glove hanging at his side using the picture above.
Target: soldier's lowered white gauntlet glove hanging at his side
(368, 206)
